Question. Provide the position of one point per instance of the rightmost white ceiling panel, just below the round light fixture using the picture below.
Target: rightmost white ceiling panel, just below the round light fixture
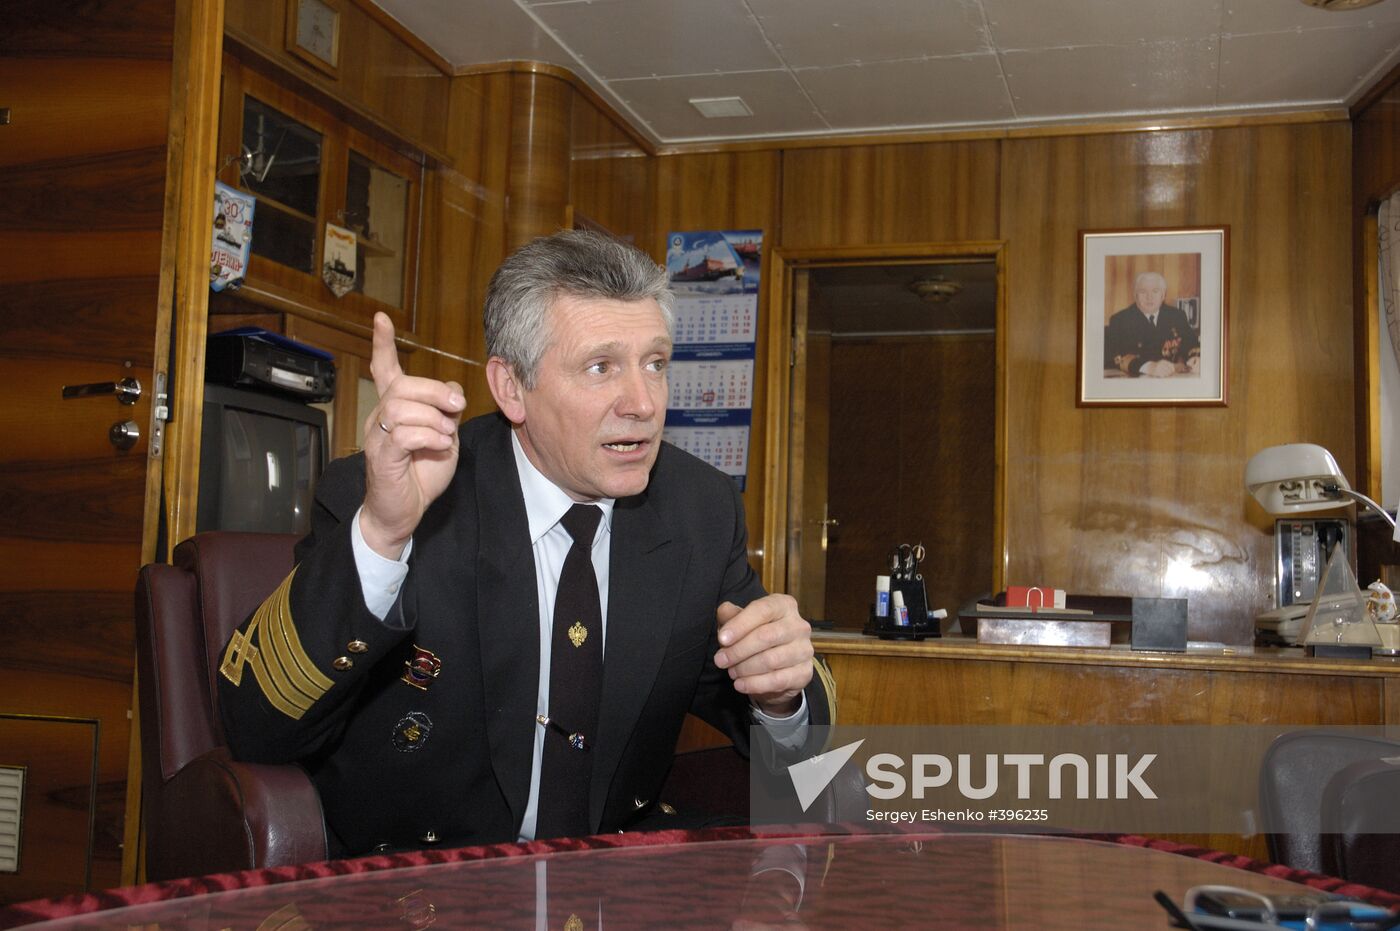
(1326, 64)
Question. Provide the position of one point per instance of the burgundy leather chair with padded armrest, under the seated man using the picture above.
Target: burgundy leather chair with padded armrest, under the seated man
(205, 813)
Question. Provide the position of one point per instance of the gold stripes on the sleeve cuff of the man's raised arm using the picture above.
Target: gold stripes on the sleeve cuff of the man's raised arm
(271, 647)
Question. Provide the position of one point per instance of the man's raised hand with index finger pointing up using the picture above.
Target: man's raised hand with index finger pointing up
(411, 446)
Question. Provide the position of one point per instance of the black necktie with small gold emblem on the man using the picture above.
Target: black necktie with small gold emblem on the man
(576, 677)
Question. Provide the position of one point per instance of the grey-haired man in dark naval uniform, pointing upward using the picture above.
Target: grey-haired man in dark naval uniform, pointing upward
(407, 661)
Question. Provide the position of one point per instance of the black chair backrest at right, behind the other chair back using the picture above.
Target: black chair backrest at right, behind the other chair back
(1293, 780)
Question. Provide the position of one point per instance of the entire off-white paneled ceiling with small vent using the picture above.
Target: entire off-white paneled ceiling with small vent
(846, 66)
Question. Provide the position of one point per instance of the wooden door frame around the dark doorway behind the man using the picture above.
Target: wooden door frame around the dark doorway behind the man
(783, 262)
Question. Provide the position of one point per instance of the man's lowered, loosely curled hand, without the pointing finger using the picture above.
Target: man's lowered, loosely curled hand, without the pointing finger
(768, 650)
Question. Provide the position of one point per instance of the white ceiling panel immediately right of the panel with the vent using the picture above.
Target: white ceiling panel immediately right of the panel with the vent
(929, 93)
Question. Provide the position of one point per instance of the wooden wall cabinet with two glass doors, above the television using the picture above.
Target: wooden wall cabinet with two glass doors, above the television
(310, 169)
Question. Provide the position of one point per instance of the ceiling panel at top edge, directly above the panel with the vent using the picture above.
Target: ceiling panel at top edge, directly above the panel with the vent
(642, 38)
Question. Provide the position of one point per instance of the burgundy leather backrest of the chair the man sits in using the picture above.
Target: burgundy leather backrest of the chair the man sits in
(184, 615)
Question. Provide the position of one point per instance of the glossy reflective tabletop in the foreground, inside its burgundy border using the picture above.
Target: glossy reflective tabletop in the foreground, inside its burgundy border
(848, 881)
